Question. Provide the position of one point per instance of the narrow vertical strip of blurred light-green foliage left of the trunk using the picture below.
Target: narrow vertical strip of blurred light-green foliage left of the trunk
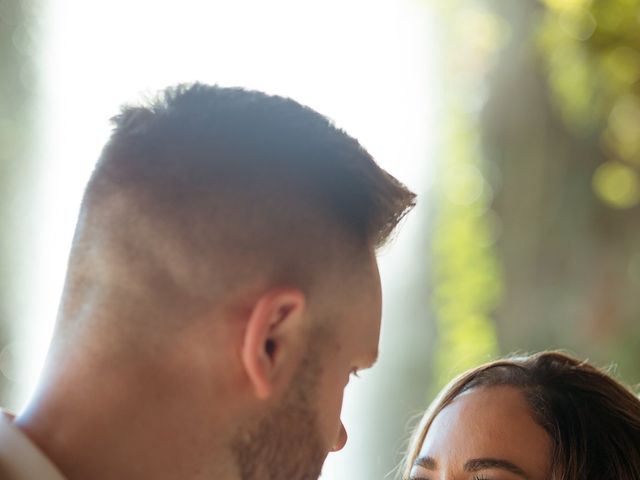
(466, 270)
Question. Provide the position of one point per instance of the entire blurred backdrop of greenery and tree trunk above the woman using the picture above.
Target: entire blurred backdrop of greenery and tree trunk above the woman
(537, 243)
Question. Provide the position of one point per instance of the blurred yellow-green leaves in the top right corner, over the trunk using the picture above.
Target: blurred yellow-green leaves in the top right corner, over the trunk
(592, 52)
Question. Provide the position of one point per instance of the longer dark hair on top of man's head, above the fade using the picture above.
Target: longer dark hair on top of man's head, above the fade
(200, 136)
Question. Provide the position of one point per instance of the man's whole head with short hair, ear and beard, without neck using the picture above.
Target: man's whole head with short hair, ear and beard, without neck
(232, 235)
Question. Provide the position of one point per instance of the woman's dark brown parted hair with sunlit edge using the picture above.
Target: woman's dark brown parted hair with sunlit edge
(592, 420)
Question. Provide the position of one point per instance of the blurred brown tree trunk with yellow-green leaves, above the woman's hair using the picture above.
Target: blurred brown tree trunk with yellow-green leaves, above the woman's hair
(560, 127)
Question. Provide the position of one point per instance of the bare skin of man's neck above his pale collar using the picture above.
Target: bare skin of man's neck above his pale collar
(116, 428)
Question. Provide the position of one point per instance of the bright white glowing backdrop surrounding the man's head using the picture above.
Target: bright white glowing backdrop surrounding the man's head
(367, 64)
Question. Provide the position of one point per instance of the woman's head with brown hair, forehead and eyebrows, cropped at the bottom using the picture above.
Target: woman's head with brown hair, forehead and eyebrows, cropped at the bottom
(541, 416)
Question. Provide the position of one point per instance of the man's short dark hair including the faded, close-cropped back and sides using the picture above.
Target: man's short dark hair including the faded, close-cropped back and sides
(263, 180)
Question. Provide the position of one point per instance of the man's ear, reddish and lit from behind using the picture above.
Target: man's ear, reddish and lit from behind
(273, 339)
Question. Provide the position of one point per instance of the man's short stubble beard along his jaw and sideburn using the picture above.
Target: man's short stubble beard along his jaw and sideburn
(286, 445)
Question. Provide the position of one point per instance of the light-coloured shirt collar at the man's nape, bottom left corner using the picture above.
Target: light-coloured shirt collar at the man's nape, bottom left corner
(20, 459)
